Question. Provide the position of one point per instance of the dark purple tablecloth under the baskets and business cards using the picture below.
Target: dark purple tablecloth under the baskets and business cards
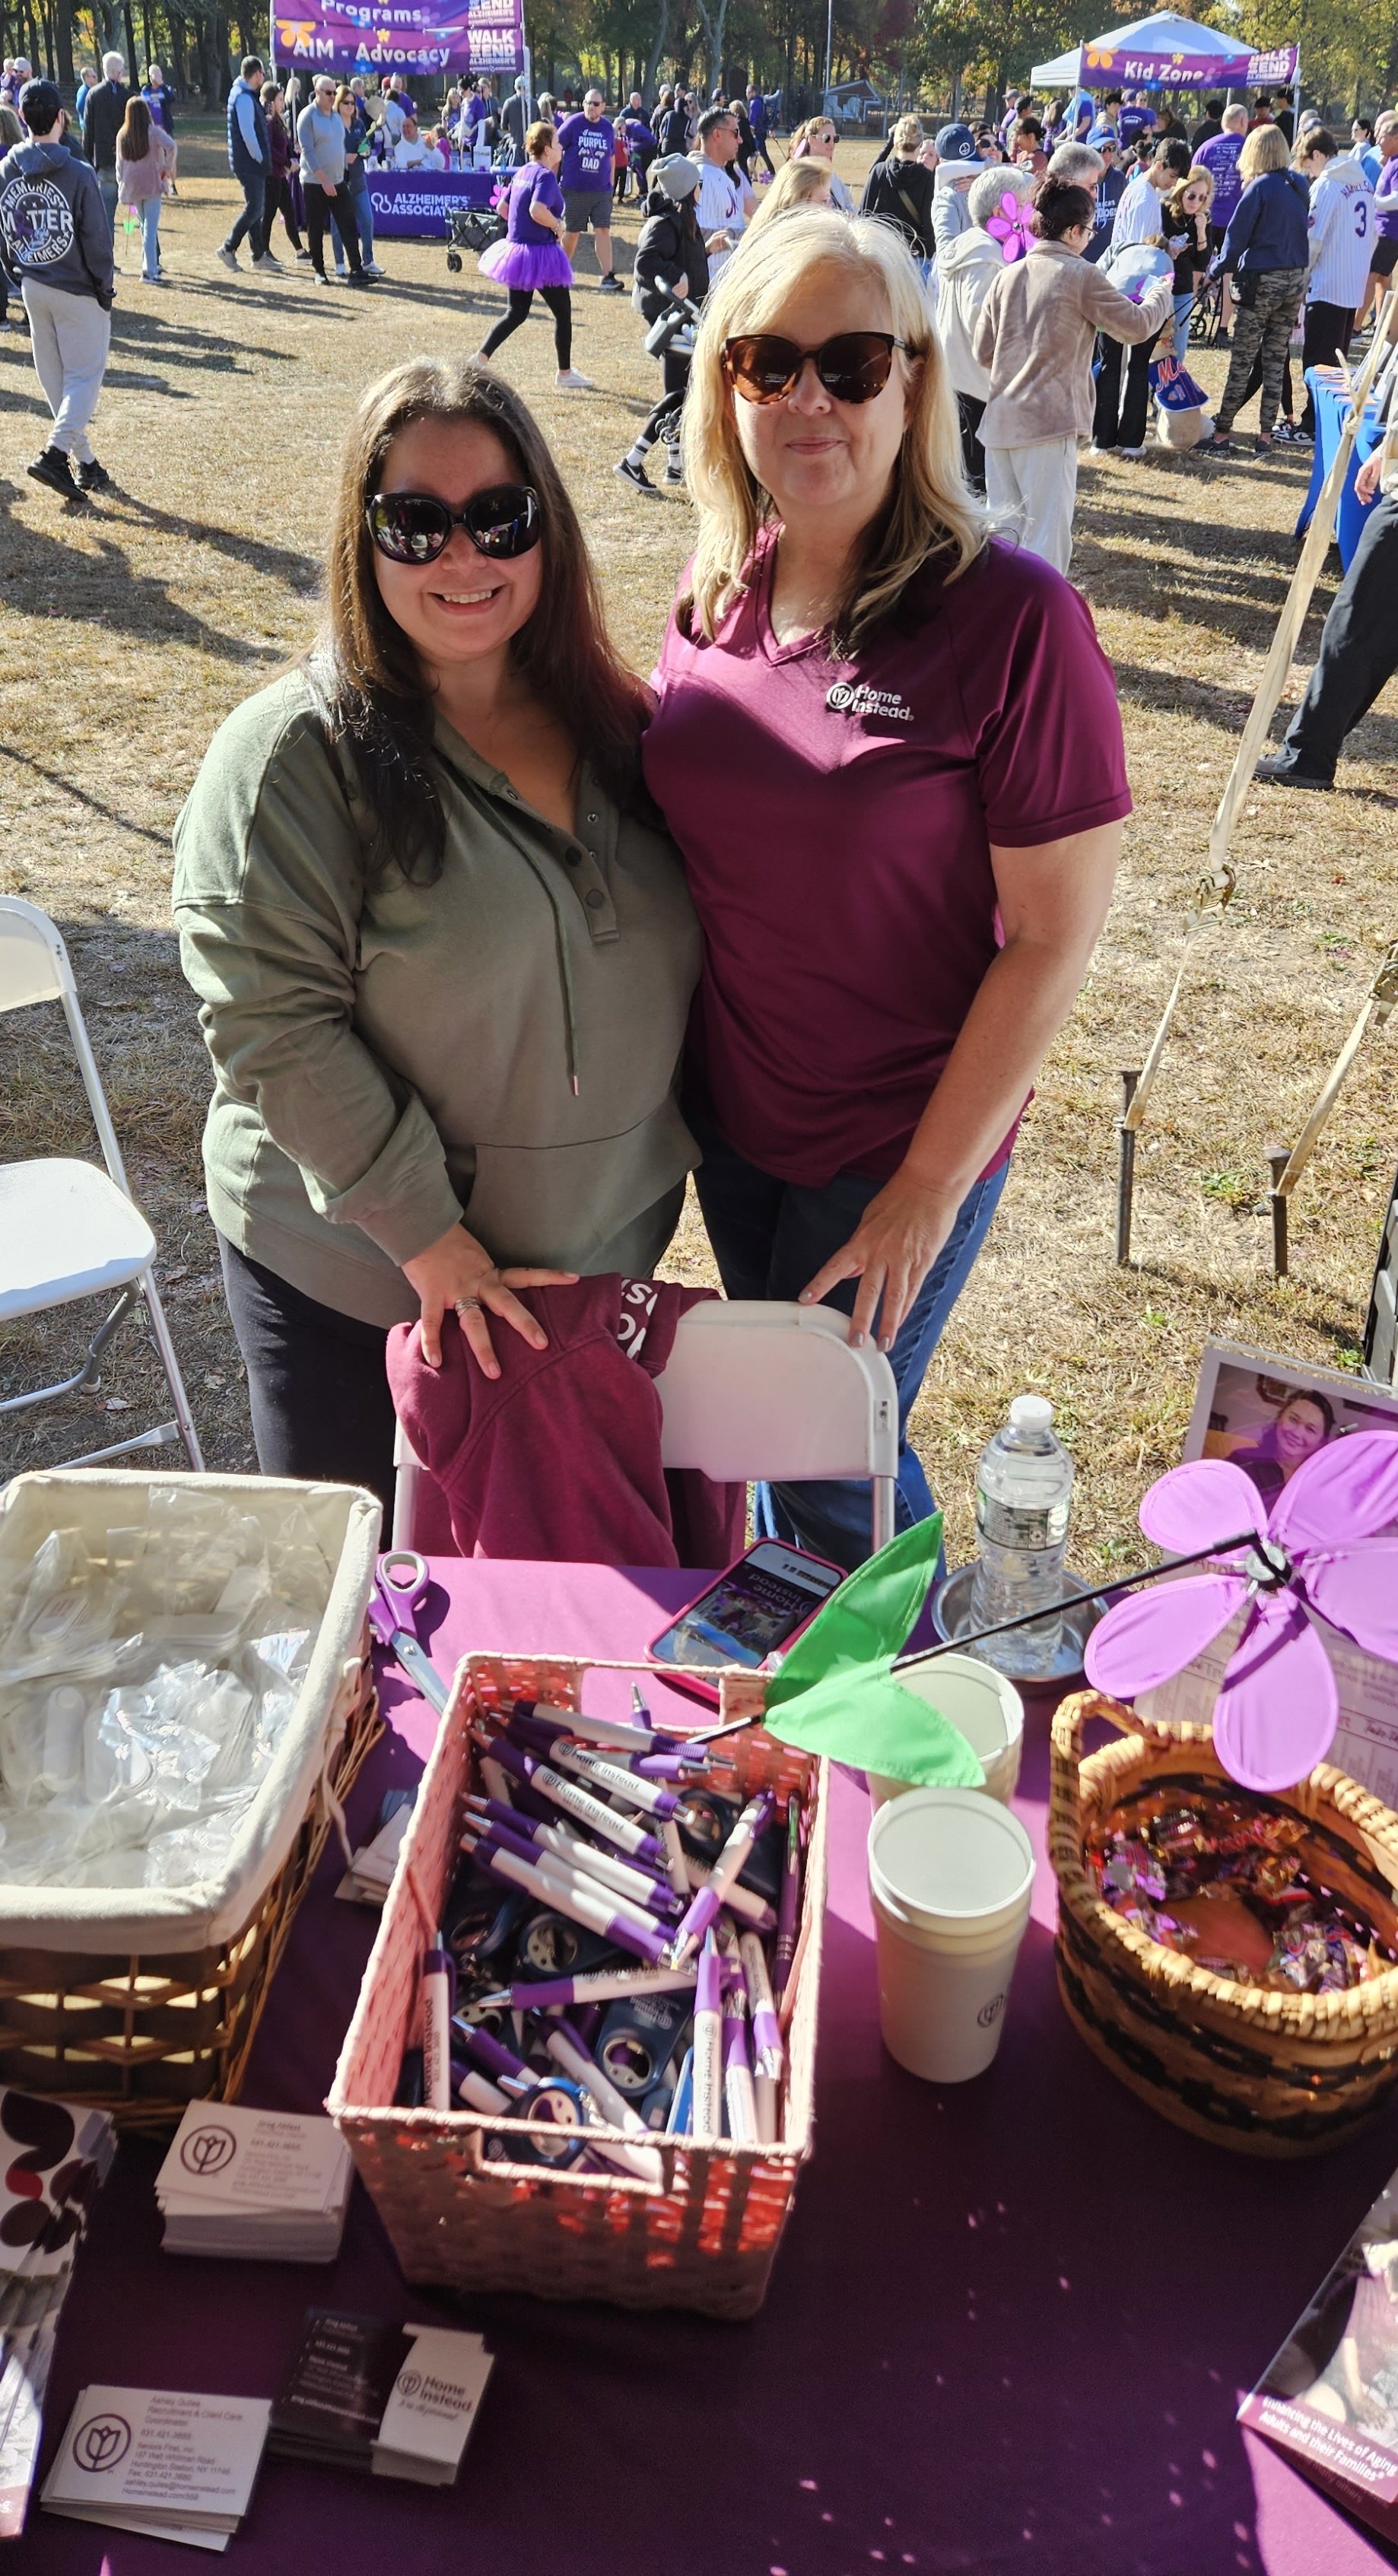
(1008, 2327)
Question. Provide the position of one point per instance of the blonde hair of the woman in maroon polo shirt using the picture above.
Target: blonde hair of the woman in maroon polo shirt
(933, 509)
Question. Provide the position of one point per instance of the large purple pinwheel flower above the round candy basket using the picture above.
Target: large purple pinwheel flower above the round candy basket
(1317, 1555)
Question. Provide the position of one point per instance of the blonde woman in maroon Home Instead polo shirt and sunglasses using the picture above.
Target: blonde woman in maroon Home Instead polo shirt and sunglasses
(923, 743)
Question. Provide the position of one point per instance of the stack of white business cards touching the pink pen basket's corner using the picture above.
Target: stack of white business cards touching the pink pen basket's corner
(269, 2186)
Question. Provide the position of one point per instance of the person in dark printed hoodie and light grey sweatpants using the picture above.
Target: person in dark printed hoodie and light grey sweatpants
(58, 241)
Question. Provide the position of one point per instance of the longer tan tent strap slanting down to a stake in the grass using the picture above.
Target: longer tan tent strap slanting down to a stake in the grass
(1216, 885)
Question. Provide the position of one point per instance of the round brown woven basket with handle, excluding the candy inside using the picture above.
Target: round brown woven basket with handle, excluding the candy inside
(1271, 2075)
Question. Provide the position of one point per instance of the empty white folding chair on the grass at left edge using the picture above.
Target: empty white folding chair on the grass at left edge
(66, 1227)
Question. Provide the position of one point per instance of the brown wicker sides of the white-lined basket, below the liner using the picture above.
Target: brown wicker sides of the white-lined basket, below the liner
(145, 2036)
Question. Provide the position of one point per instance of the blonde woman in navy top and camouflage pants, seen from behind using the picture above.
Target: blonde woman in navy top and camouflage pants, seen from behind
(1265, 251)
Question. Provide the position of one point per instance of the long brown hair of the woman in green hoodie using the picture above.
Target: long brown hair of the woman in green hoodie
(375, 692)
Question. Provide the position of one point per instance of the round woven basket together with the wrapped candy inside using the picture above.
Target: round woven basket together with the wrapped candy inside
(1229, 1956)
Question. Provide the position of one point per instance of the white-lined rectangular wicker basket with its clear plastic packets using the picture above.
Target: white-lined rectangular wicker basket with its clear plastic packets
(184, 1701)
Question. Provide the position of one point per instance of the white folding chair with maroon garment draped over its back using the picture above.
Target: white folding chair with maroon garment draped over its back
(758, 1392)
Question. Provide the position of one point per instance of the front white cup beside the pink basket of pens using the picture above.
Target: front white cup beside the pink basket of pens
(951, 1884)
